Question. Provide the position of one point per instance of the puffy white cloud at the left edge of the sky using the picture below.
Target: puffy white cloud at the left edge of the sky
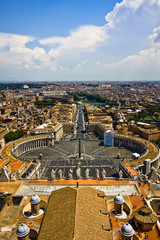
(18, 55)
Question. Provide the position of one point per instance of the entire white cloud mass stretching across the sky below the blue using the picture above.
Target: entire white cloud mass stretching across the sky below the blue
(85, 49)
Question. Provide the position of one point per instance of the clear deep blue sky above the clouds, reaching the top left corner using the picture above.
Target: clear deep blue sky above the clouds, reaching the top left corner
(41, 18)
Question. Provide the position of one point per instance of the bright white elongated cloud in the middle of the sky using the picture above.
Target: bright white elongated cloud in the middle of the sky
(85, 38)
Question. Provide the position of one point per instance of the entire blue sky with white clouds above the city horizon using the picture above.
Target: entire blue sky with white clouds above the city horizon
(78, 40)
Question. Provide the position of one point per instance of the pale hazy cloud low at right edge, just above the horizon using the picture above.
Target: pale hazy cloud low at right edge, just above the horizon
(143, 66)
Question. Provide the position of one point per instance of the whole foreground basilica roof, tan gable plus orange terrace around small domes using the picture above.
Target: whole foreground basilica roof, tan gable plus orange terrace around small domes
(86, 212)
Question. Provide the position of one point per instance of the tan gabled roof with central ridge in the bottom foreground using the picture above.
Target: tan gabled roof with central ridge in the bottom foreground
(76, 214)
